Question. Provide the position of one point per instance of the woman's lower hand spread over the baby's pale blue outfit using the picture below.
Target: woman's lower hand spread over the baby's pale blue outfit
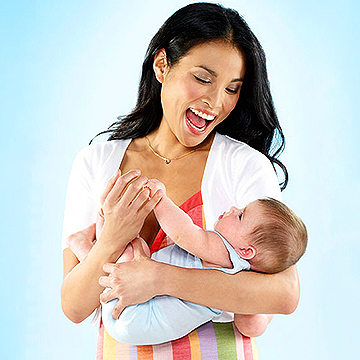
(127, 282)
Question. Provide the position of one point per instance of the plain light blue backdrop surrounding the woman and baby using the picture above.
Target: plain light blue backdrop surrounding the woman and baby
(68, 68)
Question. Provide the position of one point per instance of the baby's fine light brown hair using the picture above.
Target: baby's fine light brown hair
(280, 239)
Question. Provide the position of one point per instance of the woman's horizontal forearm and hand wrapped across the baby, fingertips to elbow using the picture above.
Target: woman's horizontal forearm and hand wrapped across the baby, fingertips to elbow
(246, 292)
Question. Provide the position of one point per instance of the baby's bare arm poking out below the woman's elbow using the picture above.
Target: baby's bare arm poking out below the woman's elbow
(252, 325)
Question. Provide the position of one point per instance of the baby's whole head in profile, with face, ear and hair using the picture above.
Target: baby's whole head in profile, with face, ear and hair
(266, 233)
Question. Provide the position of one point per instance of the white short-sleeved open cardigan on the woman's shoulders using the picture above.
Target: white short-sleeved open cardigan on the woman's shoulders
(235, 174)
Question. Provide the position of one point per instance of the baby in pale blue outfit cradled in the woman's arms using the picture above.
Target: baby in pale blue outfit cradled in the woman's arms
(265, 236)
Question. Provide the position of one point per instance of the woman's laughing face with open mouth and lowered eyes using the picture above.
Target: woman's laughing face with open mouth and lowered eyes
(201, 90)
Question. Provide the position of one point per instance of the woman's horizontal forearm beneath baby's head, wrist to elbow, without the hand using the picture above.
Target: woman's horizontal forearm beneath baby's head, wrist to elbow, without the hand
(246, 292)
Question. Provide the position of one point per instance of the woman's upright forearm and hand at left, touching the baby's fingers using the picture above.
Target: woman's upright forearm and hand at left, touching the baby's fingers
(125, 208)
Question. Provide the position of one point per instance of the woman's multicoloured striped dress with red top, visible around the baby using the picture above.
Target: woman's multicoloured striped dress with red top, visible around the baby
(211, 341)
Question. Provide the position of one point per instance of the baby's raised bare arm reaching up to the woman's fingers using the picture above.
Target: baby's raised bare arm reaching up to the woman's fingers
(180, 228)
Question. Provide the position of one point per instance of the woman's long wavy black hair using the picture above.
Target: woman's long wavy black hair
(253, 121)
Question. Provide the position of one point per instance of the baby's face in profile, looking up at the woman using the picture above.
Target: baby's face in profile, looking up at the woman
(236, 224)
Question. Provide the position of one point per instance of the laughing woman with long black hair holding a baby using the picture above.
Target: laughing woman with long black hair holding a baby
(204, 75)
